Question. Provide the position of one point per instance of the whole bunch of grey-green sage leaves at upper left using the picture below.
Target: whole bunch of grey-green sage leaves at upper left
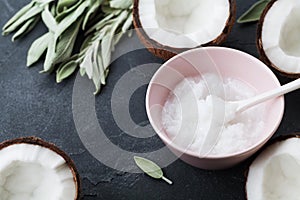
(103, 23)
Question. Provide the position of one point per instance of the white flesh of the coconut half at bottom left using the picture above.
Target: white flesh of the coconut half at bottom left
(32, 172)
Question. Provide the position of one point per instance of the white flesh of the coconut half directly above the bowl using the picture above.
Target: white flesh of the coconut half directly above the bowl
(181, 23)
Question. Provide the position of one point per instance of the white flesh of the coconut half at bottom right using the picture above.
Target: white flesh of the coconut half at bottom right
(275, 173)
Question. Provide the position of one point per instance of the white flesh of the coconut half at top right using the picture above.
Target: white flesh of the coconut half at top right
(281, 35)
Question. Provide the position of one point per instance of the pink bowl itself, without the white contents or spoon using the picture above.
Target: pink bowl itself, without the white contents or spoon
(225, 62)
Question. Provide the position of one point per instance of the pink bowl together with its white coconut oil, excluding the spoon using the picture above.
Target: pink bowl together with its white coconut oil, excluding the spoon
(229, 74)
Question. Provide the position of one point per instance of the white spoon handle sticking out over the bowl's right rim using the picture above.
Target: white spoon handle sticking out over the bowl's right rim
(294, 85)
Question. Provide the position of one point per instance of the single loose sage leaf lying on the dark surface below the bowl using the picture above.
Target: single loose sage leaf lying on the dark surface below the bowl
(150, 168)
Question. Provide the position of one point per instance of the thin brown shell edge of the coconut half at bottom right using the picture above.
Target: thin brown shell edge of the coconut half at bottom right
(271, 142)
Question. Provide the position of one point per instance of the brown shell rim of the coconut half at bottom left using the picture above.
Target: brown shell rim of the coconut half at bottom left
(52, 147)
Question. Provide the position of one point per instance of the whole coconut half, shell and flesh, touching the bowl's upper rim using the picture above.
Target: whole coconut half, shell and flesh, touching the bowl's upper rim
(168, 27)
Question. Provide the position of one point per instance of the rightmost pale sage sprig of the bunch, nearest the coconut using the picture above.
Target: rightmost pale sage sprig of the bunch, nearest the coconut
(105, 36)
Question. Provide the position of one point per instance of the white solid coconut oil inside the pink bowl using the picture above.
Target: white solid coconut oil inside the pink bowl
(189, 116)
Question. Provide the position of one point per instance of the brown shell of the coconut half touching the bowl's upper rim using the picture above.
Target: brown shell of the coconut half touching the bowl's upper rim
(166, 52)
